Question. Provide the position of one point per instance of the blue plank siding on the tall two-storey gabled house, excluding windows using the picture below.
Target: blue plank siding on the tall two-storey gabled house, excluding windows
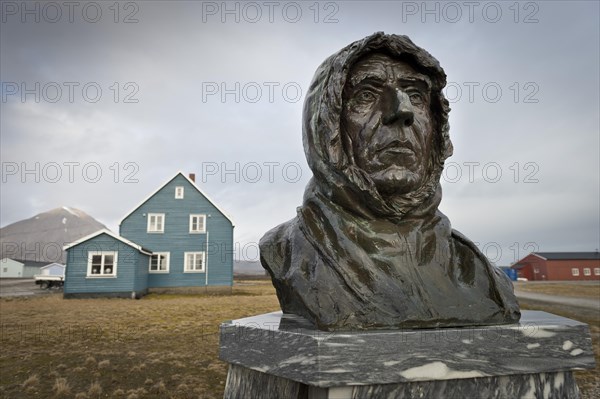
(176, 238)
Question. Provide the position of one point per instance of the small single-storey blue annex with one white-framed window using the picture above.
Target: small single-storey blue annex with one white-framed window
(104, 264)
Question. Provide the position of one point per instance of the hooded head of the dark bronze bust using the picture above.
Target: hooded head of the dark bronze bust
(365, 152)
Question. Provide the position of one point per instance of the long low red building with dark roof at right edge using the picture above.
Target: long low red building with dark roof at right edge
(559, 266)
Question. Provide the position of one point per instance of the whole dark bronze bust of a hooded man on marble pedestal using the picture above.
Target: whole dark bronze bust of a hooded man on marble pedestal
(369, 249)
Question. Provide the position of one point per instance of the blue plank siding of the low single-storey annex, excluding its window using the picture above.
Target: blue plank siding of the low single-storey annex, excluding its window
(128, 259)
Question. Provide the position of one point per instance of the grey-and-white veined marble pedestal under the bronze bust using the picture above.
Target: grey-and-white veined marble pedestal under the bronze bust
(283, 356)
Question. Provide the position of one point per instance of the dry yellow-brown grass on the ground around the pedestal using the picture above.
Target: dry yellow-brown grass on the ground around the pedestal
(162, 346)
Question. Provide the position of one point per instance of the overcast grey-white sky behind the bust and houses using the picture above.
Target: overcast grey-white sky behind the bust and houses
(103, 103)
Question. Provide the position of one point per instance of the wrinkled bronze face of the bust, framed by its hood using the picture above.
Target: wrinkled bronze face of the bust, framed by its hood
(387, 115)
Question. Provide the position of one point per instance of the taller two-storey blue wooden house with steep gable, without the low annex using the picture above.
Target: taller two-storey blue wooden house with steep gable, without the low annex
(191, 238)
